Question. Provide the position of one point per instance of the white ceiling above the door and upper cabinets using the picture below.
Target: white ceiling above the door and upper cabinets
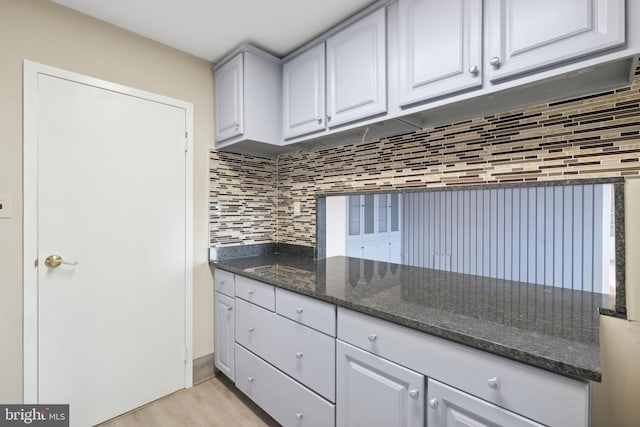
(210, 29)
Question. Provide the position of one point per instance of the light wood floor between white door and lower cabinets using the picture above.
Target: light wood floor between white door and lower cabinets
(212, 403)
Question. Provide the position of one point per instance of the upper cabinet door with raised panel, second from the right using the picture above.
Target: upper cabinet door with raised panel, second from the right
(440, 48)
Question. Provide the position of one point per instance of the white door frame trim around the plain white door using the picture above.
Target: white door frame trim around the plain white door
(31, 70)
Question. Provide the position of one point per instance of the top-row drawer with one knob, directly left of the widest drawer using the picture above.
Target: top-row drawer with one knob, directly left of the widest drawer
(314, 313)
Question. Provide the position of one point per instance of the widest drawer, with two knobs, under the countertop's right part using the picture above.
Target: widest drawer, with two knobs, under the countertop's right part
(534, 393)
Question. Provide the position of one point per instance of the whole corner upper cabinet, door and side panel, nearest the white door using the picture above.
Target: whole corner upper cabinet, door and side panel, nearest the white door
(248, 98)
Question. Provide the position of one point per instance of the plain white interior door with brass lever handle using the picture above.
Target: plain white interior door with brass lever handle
(111, 196)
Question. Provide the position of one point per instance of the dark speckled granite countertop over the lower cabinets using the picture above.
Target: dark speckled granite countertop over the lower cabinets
(551, 328)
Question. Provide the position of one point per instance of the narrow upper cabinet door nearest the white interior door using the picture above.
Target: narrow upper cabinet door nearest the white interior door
(229, 99)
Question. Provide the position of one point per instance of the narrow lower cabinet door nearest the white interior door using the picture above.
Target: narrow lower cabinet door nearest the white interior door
(224, 334)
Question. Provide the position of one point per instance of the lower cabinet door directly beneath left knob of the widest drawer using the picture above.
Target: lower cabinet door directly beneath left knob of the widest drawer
(372, 391)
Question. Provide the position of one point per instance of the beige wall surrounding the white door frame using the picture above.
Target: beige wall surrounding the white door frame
(47, 33)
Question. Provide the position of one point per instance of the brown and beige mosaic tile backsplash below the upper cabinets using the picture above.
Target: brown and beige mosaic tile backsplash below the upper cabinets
(252, 199)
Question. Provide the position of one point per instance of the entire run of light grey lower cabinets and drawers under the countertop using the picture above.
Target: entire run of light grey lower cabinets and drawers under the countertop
(377, 372)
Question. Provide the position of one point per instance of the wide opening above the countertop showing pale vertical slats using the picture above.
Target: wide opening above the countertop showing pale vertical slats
(555, 235)
